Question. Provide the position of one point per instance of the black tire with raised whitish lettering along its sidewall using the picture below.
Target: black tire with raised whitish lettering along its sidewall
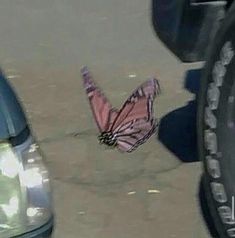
(216, 127)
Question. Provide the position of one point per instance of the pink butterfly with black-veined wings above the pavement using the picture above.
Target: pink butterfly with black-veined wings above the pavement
(133, 124)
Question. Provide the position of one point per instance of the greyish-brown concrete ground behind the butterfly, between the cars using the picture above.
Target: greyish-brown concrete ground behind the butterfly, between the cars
(99, 192)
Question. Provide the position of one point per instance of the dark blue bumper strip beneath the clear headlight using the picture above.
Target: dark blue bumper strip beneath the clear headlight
(44, 231)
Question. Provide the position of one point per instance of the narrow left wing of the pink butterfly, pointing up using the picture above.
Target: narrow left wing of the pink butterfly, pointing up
(102, 110)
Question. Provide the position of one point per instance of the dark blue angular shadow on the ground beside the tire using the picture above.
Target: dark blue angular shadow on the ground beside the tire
(177, 129)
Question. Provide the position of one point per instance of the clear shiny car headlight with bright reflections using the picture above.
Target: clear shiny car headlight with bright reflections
(25, 196)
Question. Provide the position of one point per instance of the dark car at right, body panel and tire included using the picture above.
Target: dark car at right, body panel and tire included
(204, 30)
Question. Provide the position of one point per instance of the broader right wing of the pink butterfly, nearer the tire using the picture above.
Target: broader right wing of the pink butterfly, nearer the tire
(135, 122)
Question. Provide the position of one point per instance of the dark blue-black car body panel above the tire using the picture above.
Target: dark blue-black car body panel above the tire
(188, 27)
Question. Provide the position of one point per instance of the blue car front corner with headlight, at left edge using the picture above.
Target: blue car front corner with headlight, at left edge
(25, 193)
